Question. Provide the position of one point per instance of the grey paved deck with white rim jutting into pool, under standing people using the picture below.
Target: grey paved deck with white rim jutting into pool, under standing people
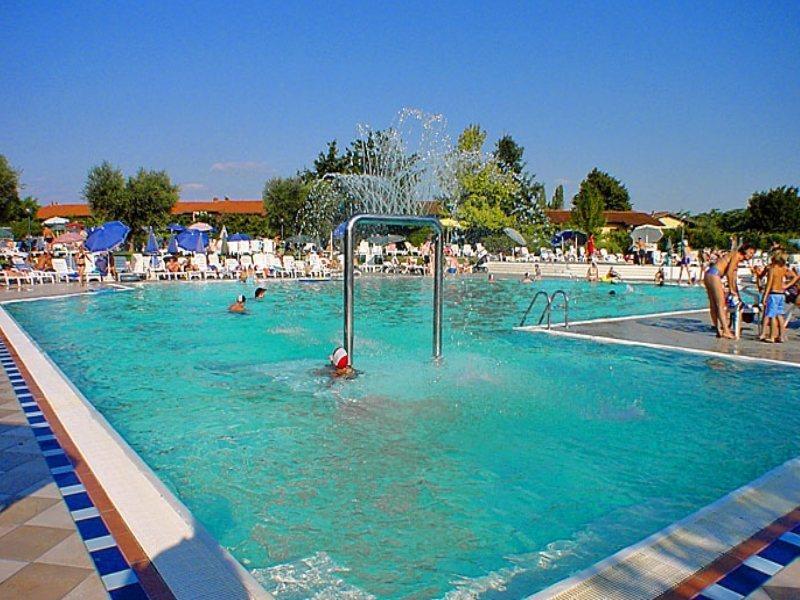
(688, 331)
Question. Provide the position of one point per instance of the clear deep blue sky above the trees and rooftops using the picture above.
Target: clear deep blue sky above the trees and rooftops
(692, 105)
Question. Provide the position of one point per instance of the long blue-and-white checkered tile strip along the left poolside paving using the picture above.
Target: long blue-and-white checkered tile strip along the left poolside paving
(116, 574)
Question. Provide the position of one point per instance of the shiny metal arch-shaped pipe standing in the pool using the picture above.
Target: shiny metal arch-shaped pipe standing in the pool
(349, 266)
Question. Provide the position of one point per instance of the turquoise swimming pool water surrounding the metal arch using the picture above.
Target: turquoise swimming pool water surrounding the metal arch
(518, 460)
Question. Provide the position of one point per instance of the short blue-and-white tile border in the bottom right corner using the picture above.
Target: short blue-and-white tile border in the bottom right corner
(756, 570)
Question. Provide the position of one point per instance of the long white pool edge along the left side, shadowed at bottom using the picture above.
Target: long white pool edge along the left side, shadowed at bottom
(186, 556)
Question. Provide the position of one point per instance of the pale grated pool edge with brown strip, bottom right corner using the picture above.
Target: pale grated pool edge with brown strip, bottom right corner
(660, 564)
